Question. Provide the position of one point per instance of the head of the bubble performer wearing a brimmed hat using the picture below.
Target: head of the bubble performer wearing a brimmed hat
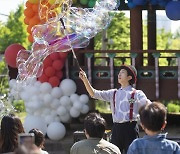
(131, 74)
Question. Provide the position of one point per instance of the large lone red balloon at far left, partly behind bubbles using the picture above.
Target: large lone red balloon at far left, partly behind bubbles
(11, 54)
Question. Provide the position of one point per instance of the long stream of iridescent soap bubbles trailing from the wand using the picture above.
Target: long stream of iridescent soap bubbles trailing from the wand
(71, 28)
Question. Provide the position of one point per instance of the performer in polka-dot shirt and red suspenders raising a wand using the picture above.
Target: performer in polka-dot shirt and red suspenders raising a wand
(125, 103)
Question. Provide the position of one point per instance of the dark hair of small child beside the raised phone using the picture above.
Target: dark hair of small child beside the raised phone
(39, 137)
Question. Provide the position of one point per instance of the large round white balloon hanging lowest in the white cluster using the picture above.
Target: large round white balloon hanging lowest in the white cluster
(56, 131)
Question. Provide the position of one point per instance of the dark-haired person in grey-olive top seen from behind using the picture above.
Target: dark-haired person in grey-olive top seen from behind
(94, 126)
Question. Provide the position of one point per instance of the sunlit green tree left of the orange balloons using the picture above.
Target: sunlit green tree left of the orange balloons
(14, 30)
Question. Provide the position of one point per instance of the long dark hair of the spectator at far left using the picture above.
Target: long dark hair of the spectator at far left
(11, 126)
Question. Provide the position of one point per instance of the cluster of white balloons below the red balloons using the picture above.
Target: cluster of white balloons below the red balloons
(48, 108)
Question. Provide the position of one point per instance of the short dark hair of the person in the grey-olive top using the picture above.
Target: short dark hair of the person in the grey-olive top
(95, 125)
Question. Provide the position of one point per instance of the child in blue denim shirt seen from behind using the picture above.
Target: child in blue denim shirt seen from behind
(153, 121)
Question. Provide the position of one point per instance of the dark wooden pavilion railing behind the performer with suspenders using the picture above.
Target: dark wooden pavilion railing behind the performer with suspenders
(157, 81)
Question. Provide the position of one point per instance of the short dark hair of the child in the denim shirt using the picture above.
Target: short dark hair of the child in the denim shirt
(153, 116)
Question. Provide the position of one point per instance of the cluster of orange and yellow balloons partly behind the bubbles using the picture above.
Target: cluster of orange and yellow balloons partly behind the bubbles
(38, 12)
